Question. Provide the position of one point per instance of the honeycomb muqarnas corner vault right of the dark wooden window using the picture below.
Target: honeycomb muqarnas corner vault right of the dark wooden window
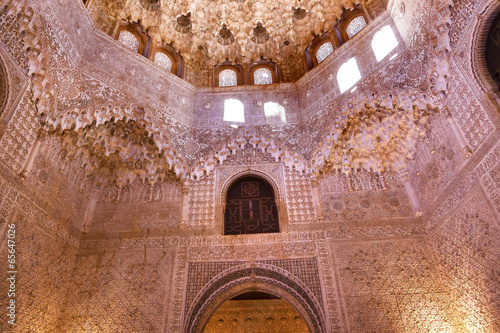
(376, 132)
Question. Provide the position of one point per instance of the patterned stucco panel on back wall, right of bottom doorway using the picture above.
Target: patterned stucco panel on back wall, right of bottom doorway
(393, 286)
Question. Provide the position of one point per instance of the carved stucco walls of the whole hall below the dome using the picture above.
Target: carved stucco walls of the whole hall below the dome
(102, 235)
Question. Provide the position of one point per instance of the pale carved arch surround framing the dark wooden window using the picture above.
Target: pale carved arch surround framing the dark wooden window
(251, 172)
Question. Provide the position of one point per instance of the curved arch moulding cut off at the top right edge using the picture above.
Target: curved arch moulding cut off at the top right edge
(489, 16)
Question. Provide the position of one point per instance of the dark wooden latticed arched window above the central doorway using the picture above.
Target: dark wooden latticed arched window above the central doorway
(250, 208)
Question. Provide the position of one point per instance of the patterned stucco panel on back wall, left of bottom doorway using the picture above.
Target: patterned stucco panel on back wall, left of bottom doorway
(118, 293)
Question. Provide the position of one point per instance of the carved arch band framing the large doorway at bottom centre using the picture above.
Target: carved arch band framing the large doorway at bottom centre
(258, 277)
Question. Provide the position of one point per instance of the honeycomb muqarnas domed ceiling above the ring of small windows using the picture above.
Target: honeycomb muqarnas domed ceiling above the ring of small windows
(208, 32)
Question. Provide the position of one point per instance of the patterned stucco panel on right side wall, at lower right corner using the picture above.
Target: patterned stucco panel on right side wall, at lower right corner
(467, 246)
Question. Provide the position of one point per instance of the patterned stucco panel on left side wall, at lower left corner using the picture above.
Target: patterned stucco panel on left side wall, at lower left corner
(44, 266)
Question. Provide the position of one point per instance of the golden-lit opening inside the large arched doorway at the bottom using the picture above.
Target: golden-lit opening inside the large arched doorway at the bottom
(256, 312)
